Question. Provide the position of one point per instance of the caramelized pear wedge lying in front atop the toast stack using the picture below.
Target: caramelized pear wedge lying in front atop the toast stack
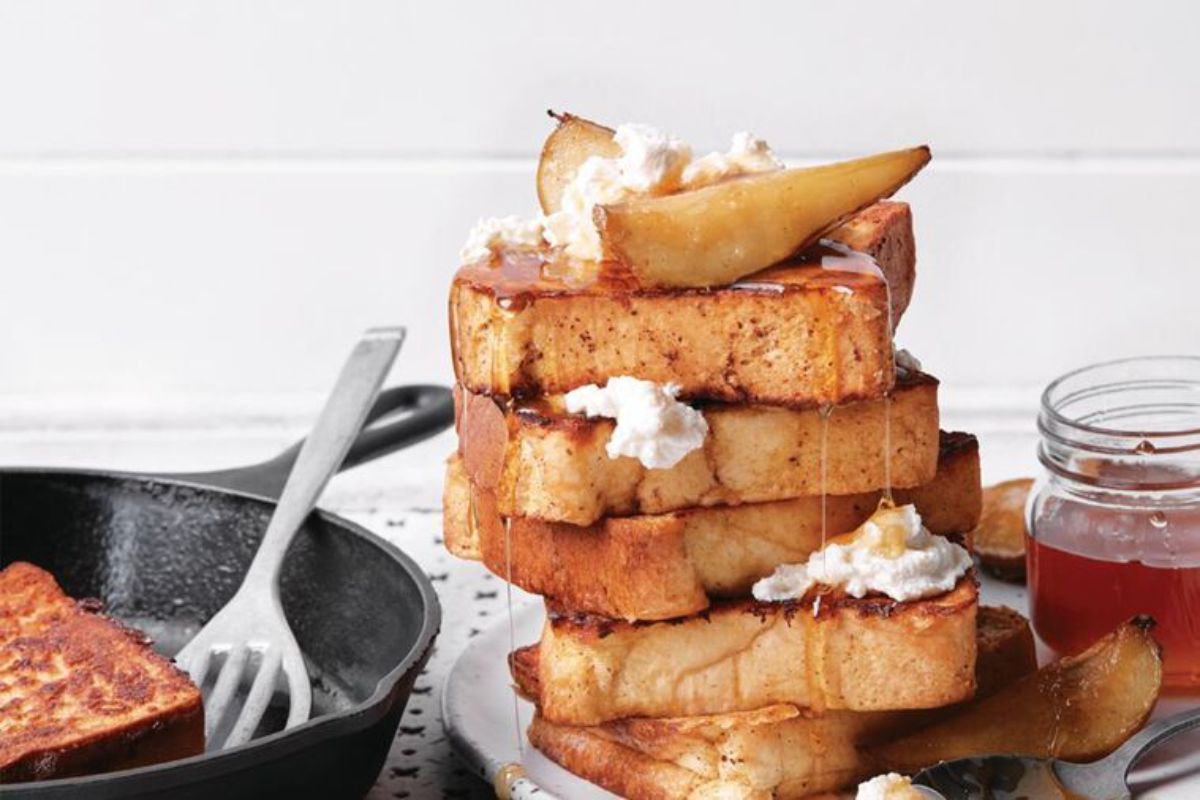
(718, 234)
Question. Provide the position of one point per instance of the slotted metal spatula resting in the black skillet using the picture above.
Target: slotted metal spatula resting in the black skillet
(251, 629)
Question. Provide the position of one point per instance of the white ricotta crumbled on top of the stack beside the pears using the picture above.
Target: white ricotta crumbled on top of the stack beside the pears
(651, 164)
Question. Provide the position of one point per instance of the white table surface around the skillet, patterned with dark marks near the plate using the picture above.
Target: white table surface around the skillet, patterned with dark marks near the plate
(399, 498)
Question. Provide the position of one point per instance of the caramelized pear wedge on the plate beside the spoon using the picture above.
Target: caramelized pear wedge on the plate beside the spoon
(1078, 709)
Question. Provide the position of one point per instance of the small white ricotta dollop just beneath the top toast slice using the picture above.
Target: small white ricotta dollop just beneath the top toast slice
(652, 426)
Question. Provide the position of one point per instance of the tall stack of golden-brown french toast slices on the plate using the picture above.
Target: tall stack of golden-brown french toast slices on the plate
(659, 675)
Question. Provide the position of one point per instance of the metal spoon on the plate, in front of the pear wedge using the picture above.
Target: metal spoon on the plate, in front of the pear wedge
(1005, 778)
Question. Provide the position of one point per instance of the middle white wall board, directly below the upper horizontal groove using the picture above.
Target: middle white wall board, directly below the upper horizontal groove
(232, 279)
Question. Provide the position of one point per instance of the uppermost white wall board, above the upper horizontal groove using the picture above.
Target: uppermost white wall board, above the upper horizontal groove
(418, 79)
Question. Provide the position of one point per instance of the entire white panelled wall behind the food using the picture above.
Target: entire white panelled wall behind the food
(203, 203)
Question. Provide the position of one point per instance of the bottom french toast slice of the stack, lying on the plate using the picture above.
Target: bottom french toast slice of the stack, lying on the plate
(779, 751)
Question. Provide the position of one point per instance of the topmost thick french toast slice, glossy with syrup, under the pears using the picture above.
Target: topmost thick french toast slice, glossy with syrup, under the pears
(794, 335)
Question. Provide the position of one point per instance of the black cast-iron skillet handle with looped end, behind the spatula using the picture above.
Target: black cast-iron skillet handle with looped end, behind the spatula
(424, 412)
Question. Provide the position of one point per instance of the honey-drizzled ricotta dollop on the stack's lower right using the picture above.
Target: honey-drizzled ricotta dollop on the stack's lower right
(892, 554)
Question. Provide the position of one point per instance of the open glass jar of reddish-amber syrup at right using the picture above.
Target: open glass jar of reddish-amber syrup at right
(1115, 520)
